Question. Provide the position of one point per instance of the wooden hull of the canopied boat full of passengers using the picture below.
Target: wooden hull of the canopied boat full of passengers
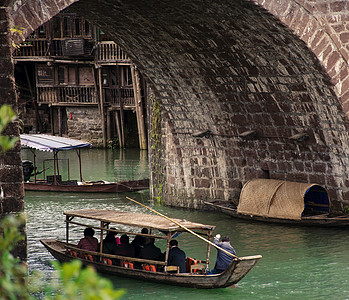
(235, 272)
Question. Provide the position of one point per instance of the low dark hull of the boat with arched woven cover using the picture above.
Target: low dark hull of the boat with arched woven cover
(318, 220)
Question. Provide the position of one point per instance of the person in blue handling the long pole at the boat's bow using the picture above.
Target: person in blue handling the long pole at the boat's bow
(223, 259)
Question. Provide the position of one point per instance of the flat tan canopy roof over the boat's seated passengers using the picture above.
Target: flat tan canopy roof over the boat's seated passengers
(136, 219)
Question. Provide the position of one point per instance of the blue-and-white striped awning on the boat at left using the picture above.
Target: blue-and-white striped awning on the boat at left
(44, 142)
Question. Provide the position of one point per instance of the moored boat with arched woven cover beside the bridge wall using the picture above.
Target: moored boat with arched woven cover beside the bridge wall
(284, 202)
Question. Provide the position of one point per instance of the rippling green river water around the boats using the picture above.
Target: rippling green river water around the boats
(297, 263)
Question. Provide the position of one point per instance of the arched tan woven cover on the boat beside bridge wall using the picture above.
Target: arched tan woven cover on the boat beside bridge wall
(273, 198)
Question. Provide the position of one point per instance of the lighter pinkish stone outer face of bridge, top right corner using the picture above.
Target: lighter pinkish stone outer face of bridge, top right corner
(323, 27)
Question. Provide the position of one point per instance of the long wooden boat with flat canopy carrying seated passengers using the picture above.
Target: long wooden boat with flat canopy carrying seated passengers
(159, 228)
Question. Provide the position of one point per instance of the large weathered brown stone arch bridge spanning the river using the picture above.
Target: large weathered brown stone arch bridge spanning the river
(246, 89)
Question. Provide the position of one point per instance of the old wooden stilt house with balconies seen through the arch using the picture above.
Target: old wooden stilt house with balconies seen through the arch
(73, 81)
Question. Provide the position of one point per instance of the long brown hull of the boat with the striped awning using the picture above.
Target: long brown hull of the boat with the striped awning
(113, 187)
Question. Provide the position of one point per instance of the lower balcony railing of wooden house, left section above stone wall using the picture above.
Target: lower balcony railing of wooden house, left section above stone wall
(67, 95)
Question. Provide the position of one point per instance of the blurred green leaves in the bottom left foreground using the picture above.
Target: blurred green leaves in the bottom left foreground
(73, 283)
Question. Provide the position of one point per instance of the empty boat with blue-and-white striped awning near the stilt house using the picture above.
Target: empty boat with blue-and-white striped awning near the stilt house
(54, 182)
